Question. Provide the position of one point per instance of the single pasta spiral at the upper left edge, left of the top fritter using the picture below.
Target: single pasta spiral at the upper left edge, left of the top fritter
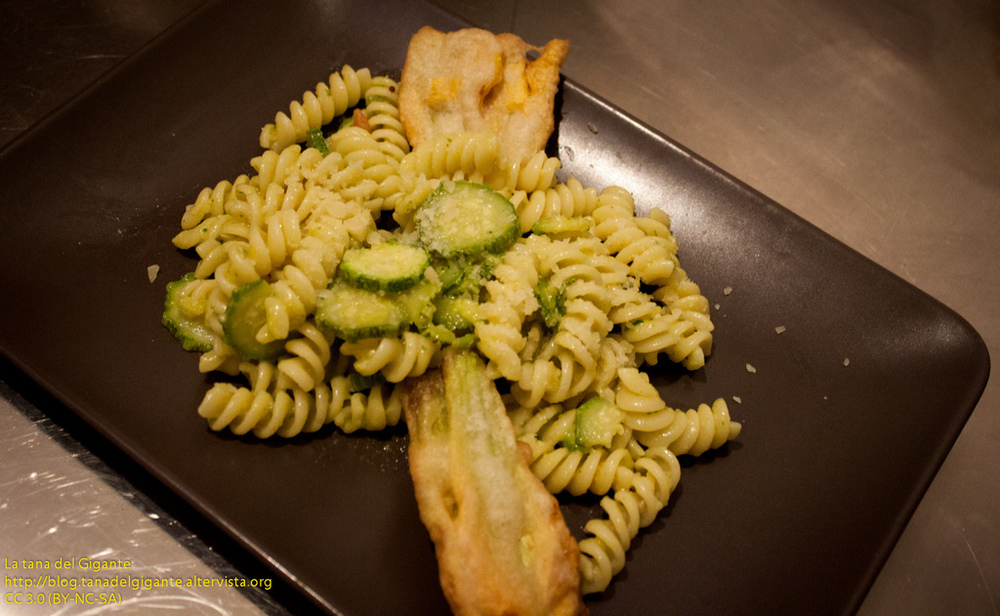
(343, 90)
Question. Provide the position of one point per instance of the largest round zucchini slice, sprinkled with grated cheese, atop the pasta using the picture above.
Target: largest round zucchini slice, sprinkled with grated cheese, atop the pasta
(466, 218)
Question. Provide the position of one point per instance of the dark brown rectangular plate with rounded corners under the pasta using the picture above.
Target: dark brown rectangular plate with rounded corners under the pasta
(847, 414)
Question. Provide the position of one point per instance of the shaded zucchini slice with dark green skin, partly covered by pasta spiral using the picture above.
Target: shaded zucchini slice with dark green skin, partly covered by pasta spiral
(245, 315)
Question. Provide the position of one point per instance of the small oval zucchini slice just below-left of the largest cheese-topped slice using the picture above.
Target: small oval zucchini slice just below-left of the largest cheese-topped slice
(384, 268)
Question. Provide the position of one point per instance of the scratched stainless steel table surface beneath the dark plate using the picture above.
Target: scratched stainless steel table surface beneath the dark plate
(878, 121)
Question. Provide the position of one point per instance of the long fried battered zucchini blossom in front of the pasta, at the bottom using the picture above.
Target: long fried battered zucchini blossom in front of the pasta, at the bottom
(502, 545)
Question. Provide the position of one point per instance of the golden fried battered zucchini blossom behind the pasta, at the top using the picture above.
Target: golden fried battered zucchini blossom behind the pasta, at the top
(473, 80)
